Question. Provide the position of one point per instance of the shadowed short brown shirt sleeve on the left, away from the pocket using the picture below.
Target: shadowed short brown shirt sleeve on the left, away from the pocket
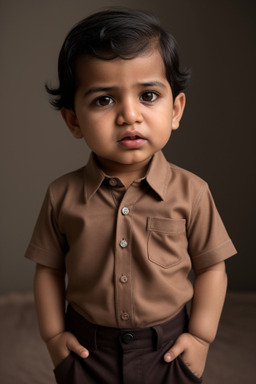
(48, 244)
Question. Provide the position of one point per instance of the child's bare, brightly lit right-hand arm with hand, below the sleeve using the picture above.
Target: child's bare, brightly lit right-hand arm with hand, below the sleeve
(209, 294)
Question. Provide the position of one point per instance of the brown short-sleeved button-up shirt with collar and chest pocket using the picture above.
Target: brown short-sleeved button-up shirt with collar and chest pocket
(128, 252)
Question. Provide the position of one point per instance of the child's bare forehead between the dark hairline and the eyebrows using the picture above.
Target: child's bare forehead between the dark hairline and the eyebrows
(147, 66)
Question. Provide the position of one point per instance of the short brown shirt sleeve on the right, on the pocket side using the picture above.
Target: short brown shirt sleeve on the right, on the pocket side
(209, 242)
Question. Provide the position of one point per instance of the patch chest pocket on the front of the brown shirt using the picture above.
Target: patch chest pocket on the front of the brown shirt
(166, 241)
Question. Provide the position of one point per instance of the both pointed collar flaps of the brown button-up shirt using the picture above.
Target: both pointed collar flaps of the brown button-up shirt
(158, 176)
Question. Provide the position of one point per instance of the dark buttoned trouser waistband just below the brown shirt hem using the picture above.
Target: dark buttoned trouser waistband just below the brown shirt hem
(95, 336)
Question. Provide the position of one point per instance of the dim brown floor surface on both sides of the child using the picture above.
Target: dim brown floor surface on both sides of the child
(24, 358)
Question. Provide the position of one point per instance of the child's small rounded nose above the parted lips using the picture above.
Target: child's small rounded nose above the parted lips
(129, 112)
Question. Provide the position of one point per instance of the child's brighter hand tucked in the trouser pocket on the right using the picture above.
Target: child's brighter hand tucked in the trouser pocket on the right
(194, 352)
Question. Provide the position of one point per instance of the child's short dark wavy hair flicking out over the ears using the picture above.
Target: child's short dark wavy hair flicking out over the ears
(115, 32)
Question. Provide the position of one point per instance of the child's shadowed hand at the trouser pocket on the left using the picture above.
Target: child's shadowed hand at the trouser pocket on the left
(62, 344)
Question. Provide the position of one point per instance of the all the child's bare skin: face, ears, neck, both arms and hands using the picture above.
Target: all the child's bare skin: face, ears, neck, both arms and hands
(125, 112)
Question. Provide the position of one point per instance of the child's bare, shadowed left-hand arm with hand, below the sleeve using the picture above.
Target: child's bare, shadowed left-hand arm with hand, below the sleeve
(49, 290)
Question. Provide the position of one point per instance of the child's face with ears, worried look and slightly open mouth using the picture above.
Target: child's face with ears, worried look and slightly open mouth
(124, 109)
